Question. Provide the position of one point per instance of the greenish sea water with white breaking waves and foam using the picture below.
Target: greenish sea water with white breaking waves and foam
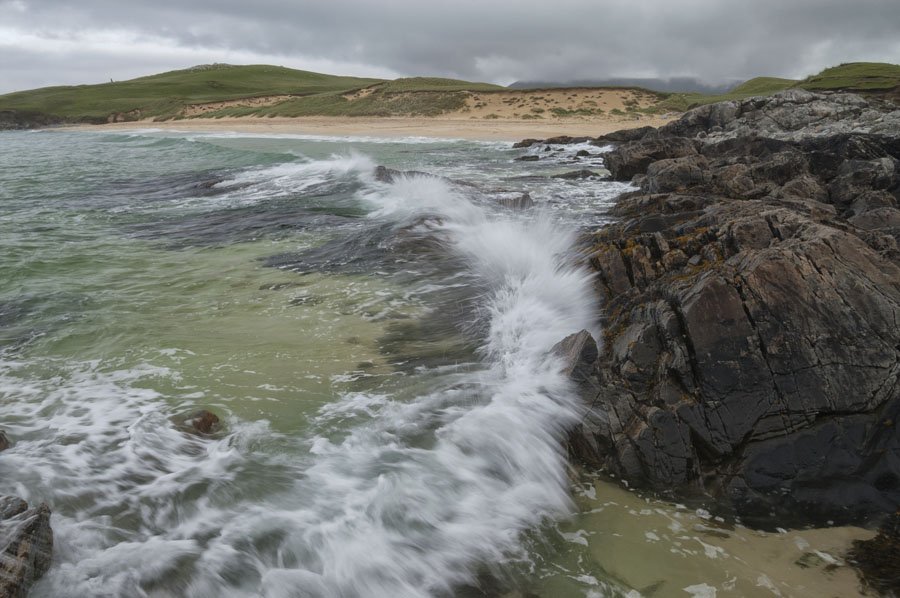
(379, 353)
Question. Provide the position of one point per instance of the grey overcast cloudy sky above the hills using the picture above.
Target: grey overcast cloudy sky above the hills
(57, 42)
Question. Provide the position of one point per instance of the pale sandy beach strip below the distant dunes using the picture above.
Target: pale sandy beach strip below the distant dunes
(390, 127)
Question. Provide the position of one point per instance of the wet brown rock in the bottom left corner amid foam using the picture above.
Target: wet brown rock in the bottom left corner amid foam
(26, 542)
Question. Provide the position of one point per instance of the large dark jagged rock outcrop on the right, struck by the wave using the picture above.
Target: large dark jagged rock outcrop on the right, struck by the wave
(752, 299)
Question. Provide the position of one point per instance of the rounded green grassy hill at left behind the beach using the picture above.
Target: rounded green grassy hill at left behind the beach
(168, 95)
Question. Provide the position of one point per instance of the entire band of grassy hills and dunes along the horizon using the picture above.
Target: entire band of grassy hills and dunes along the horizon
(217, 90)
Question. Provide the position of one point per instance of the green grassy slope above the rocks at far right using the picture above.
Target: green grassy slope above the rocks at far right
(860, 77)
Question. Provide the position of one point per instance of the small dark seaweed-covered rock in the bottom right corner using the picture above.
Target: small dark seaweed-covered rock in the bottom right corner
(878, 559)
